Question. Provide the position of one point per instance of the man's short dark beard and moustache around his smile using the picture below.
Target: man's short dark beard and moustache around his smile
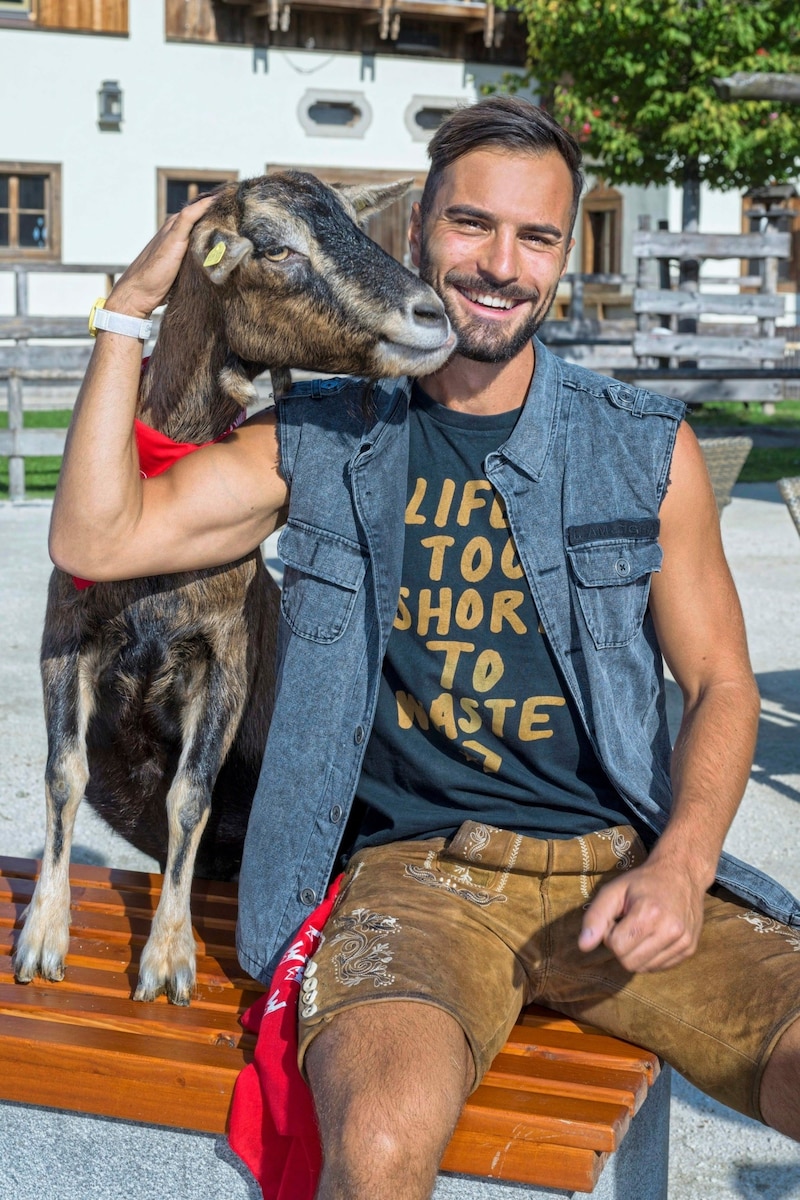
(488, 341)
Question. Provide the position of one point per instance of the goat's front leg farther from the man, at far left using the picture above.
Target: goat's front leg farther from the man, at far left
(69, 703)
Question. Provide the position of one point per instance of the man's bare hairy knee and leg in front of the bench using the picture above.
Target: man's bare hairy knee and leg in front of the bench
(389, 1083)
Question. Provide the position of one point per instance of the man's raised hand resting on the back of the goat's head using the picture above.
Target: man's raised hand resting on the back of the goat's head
(148, 280)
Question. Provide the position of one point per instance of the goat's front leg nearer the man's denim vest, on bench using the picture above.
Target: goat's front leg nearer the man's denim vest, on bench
(169, 961)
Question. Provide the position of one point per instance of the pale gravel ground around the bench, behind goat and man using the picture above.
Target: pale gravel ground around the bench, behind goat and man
(715, 1154)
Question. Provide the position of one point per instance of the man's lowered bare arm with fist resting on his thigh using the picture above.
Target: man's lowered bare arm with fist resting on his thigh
(652, 917)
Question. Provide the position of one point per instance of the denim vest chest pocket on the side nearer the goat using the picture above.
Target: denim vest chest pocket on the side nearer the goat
(323, 575)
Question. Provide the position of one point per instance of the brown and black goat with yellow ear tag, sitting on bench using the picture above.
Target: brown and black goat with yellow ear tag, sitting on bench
(159, 692)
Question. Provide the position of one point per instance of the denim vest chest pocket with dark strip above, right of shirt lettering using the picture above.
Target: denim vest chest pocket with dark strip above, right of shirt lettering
(613, 585)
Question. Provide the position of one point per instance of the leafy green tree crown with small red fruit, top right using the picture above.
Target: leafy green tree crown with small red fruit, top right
(633, 80)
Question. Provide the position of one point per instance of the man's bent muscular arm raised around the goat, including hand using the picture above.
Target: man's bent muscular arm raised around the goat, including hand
(210, 508)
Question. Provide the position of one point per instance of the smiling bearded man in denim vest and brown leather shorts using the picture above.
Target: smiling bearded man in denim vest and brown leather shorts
(516, 835)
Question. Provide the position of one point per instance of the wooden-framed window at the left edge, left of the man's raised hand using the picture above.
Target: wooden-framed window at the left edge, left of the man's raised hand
(31, 211)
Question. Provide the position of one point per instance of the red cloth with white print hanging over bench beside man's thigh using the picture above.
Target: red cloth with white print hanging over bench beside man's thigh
(273, 1124)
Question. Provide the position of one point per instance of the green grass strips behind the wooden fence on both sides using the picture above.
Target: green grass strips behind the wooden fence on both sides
(765, 464)
